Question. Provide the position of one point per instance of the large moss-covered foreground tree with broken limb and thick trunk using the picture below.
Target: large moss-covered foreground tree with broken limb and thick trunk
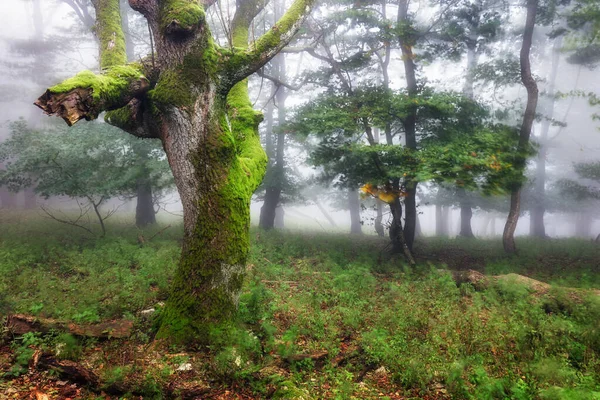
(193, 96)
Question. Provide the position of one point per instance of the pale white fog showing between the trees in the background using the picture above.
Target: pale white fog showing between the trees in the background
(44, 42)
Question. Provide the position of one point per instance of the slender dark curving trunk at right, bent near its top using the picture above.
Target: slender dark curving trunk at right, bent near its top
(508, 237)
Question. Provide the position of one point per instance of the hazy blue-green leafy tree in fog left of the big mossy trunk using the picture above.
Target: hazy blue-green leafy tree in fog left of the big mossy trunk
(91, 163)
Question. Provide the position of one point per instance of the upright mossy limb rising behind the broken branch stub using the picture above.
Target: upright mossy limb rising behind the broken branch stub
(110, 34)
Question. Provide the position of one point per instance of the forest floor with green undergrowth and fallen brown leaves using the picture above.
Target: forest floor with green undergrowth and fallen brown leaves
(321, 317)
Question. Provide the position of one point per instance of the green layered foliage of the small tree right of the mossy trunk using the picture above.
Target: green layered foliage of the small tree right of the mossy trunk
(457, 145)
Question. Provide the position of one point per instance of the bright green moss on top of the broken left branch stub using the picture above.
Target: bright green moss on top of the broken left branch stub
(108, 87)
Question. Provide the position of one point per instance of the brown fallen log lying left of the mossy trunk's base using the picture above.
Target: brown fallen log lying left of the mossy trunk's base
(19, 324)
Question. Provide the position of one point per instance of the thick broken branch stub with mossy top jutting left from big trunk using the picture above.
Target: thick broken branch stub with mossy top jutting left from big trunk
(86, 95)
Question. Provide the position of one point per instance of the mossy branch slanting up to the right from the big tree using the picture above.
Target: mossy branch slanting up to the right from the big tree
(244, 63)
